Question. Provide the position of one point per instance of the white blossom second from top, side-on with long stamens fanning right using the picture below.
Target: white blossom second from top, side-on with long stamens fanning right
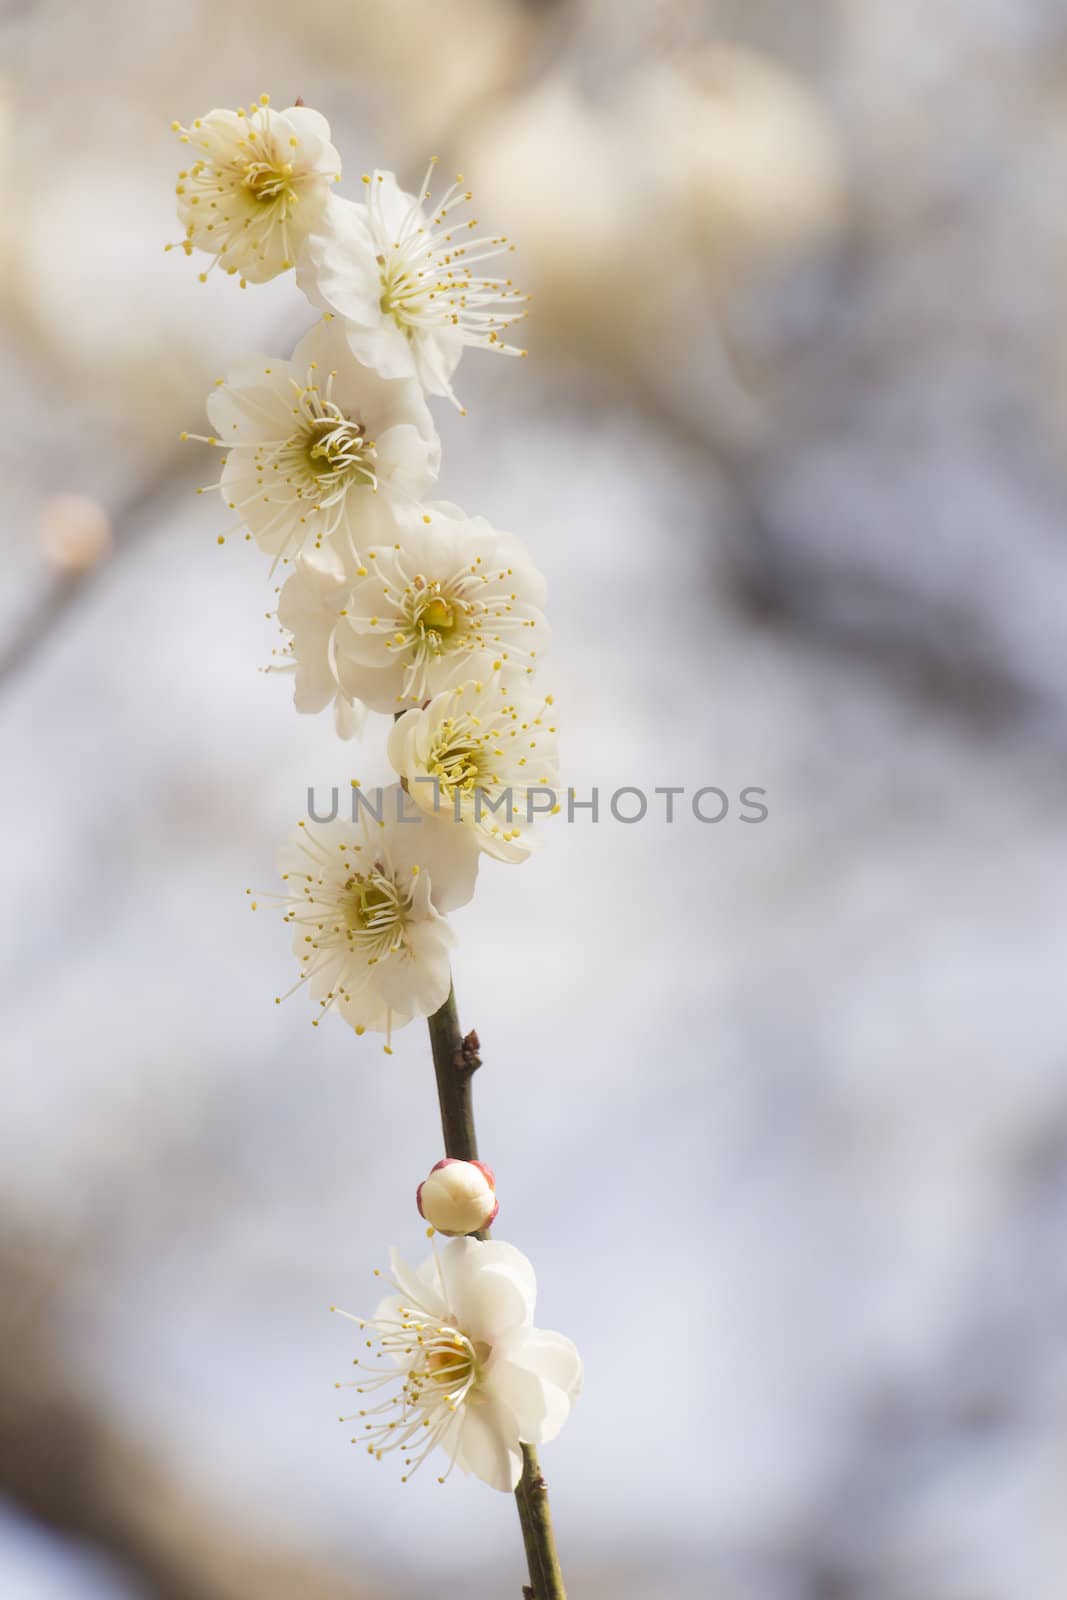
(409, 281)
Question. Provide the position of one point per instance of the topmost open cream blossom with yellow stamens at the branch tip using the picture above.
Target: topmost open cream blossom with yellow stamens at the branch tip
(257, 186)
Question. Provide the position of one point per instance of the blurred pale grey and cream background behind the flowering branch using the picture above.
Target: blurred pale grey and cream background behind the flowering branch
(780, 1111)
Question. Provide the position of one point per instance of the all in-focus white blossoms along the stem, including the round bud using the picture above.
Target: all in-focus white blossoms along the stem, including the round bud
(398, 604)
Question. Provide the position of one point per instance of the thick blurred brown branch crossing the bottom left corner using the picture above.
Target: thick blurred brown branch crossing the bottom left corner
(71, 1466)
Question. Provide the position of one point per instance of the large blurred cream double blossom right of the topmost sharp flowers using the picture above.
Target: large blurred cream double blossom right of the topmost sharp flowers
(637, 209)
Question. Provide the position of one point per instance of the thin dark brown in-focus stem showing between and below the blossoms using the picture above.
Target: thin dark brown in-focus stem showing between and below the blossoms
(455, 1063)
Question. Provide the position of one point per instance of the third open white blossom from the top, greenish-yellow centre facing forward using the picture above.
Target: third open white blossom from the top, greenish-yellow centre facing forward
(319, 450)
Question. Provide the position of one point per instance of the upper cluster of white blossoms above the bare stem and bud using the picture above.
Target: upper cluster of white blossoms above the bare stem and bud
(391, 601)
